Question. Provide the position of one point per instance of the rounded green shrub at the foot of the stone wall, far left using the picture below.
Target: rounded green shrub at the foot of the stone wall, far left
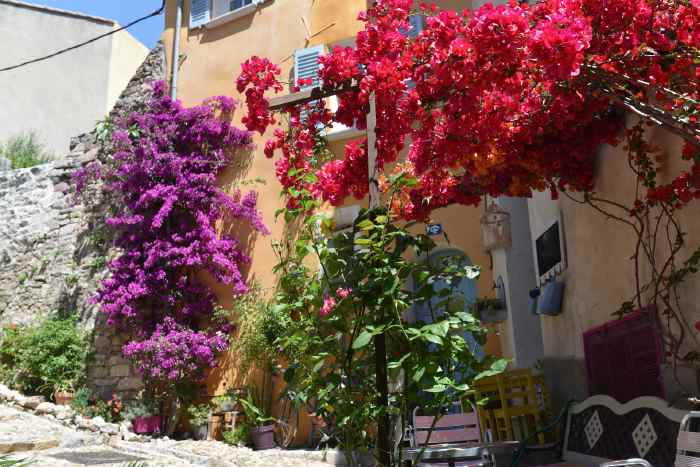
(45, 358)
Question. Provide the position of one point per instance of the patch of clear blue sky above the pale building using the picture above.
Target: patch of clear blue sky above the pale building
(123, 11)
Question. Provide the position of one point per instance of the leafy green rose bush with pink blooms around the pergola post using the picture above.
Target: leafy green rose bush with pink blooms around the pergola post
(366, 288)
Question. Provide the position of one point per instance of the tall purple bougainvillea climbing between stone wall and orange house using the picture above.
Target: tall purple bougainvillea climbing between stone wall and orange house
(162, 176)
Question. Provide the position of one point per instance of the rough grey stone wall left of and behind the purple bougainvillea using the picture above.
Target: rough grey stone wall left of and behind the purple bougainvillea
(53, 251)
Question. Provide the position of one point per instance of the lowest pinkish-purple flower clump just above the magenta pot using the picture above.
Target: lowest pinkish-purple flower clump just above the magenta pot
(174, 353)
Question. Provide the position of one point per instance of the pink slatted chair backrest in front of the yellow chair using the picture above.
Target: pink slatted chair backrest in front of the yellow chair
(450, 428)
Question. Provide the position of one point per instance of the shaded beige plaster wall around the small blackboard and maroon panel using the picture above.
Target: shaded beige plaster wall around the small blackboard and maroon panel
(600, 274)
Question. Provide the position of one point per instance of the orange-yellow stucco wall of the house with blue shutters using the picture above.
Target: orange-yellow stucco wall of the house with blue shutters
(210, 62)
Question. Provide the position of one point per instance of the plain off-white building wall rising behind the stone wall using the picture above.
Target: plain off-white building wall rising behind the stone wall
(63, 96)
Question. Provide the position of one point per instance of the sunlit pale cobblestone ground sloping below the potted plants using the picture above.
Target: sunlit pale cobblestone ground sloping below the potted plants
(49, 444)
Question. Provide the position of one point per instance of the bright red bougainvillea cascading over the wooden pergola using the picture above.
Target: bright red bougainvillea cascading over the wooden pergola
(502, 100)
